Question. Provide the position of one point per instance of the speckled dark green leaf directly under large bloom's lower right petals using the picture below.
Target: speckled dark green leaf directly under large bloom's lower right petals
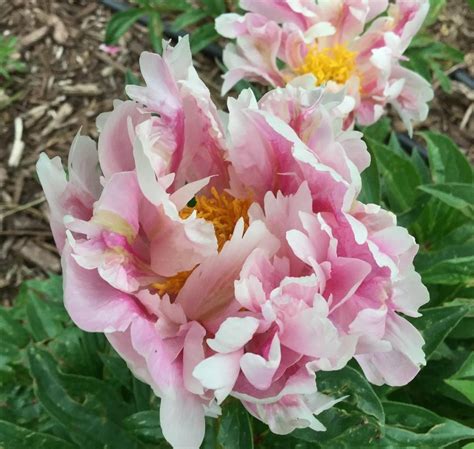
(348, 381)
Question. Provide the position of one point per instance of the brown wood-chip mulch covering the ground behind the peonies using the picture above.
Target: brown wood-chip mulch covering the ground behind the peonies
(69, 81)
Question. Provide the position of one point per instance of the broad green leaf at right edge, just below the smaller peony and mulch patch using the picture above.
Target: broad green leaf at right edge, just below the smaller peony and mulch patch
(447, 163)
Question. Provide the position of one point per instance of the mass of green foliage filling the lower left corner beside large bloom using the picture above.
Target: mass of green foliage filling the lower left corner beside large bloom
(62, 388)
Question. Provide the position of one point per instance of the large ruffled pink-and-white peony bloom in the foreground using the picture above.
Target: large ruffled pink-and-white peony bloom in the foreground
(226, 254)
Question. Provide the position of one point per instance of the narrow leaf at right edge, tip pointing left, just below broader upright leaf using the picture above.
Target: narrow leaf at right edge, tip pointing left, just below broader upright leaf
(456, 195)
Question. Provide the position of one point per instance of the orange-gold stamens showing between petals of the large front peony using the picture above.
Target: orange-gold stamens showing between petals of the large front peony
(220, 209)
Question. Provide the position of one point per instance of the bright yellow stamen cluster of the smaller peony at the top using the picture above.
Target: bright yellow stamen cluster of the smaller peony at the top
(330, 64)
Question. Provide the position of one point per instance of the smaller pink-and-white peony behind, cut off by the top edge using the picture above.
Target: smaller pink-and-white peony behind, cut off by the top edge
(342, 44)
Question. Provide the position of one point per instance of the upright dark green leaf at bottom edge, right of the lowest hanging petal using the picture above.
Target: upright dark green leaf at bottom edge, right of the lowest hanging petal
(235, 431)
